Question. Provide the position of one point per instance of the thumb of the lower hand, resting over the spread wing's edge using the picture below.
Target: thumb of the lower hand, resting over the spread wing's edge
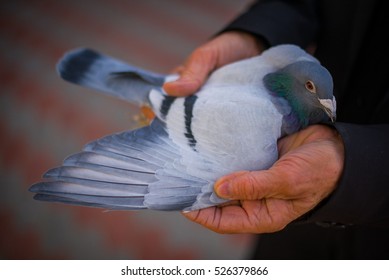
(250, 185)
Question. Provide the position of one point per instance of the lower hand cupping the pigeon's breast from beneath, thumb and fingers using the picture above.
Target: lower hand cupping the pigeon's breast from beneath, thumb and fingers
(309, 167)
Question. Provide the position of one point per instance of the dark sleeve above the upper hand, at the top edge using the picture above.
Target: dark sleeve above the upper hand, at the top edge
(280, 22)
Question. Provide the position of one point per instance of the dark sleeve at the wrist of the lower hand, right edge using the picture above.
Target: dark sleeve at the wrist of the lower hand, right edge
(362, 195)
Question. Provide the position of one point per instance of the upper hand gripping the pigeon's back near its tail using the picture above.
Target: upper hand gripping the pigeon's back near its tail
(221, 50)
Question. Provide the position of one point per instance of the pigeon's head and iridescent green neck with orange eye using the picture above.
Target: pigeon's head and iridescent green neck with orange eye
(308, 88)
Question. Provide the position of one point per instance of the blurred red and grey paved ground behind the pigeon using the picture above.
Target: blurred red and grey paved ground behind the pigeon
(43, 119)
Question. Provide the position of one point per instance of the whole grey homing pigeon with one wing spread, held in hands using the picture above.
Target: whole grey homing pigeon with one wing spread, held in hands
(231, 123)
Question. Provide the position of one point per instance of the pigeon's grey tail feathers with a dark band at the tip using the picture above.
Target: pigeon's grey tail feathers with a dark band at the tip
(91, 69)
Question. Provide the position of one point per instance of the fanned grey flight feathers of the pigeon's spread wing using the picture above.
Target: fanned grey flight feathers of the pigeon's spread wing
(131, 170)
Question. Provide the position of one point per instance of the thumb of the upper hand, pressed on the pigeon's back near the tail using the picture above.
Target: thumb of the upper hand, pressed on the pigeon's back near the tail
(193, 73)
